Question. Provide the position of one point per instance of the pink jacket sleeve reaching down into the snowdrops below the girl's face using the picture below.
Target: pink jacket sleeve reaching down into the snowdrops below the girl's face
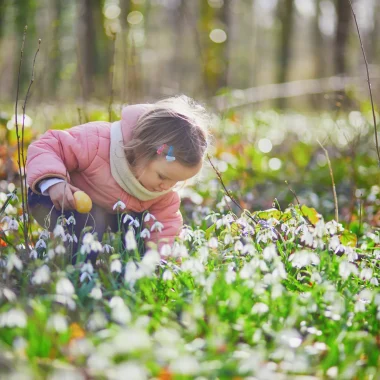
(166, 211)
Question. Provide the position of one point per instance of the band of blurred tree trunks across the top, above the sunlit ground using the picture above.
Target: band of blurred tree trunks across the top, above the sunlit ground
(150, 49)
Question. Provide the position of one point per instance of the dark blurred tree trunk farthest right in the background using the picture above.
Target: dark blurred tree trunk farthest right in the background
(341, 38)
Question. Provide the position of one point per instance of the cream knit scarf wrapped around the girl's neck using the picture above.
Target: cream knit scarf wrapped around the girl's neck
(121, 171)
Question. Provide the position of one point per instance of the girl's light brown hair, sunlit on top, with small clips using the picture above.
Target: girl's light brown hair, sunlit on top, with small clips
(179, 122)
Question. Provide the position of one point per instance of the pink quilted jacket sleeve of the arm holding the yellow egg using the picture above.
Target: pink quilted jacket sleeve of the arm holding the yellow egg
(58, 152)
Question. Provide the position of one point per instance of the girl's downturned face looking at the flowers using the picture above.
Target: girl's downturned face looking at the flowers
(160, 174)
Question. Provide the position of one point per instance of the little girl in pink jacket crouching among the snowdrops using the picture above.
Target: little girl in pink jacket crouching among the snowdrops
(137, 161)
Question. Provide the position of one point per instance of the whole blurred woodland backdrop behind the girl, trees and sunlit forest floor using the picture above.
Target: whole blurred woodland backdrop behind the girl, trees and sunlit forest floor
(280, 74)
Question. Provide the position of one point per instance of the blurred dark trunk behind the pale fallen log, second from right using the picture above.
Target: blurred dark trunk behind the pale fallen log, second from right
(286, 11)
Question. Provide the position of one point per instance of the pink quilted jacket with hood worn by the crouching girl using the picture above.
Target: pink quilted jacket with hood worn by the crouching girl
(82, 155)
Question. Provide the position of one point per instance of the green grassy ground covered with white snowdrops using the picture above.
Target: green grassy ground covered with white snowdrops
(280, 293)
